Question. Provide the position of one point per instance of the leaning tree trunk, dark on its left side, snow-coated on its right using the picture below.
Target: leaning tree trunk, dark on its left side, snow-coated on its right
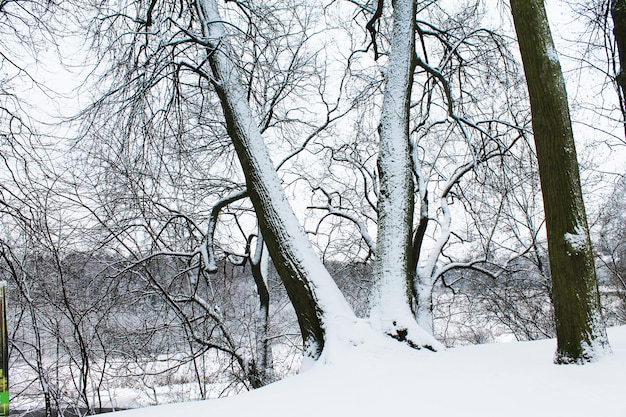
(319, 305)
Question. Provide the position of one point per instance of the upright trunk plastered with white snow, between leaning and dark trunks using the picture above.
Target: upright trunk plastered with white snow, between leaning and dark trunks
(391, 298)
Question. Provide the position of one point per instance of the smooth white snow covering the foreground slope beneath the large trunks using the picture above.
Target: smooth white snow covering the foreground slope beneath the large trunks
(378, 379)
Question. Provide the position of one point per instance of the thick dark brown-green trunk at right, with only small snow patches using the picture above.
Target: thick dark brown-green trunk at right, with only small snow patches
(581, 333)
